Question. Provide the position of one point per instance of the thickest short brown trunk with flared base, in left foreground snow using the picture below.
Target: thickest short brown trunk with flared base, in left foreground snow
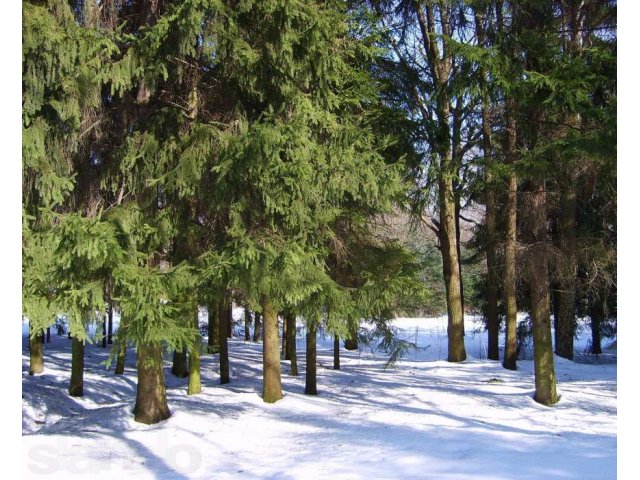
(151, 396)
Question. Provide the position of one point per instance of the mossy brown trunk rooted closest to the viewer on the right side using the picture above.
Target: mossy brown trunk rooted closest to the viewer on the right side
(545, 378)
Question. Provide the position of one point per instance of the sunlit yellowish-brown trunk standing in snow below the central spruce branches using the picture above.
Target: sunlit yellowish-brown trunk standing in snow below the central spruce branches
(271, 381)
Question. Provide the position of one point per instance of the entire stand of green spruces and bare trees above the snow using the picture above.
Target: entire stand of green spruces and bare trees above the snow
(325, 167)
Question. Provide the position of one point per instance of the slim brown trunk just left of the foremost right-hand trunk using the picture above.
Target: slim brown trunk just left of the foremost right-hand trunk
(509, 286)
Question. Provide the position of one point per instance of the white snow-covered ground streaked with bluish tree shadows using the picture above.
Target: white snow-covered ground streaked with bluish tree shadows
(424, 419)
